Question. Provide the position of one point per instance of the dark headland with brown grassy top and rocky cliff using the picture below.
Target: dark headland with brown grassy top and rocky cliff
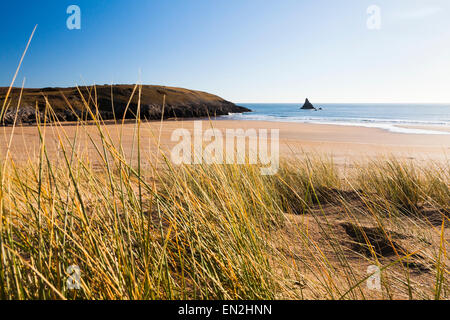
(179, 103)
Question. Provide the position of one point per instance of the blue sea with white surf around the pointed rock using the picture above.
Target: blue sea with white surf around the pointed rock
(404, 118)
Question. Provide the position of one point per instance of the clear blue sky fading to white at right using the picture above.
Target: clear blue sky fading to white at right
(241, 50)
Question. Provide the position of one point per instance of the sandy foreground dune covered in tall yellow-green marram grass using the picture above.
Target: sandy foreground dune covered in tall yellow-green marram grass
(145, 229)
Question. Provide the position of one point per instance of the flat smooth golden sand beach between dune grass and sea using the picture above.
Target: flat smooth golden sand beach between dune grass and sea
(343, 143)
